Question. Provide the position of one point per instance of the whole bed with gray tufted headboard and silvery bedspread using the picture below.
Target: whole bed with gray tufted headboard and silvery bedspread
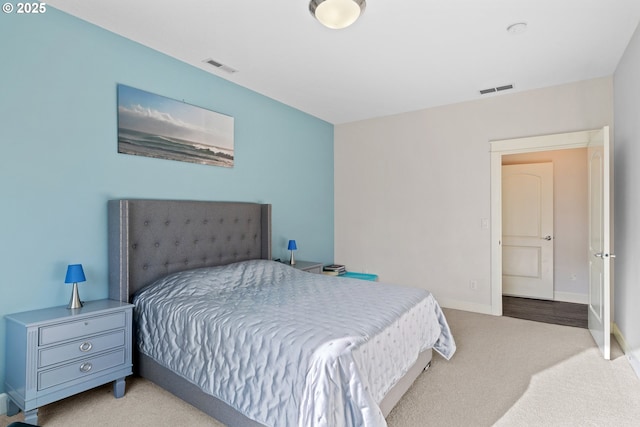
(215, 257)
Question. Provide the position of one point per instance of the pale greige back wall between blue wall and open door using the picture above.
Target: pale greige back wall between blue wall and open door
(411, 190)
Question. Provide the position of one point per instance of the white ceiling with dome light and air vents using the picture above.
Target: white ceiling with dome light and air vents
(401, 55)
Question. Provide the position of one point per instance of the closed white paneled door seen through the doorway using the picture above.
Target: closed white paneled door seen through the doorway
(527, 230)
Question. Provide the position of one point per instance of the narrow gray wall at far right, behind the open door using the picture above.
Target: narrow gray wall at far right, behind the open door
(627, 199)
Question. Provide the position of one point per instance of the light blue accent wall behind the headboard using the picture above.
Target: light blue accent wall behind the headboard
(59, 163)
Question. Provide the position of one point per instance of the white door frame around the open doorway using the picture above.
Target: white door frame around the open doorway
(502, 147)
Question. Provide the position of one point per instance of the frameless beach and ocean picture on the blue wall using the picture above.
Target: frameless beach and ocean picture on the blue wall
(155, 126)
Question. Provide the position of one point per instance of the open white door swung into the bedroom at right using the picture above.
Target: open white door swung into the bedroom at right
(600, 240)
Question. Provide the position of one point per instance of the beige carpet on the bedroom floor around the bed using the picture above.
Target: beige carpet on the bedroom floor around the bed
(507, 372)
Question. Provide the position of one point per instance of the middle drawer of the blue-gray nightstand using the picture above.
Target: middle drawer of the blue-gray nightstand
(80, 348)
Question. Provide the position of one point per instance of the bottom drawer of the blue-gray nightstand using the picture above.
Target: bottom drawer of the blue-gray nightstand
(81, 368)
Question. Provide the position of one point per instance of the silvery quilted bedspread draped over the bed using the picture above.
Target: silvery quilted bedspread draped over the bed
(286, 347)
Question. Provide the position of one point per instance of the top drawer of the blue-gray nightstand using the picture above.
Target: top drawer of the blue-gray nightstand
(87, 326)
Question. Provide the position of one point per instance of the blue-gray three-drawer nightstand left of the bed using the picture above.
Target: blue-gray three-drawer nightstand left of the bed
(57, 352)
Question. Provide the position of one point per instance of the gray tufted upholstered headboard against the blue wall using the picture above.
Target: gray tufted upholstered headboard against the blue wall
(151, 238)
